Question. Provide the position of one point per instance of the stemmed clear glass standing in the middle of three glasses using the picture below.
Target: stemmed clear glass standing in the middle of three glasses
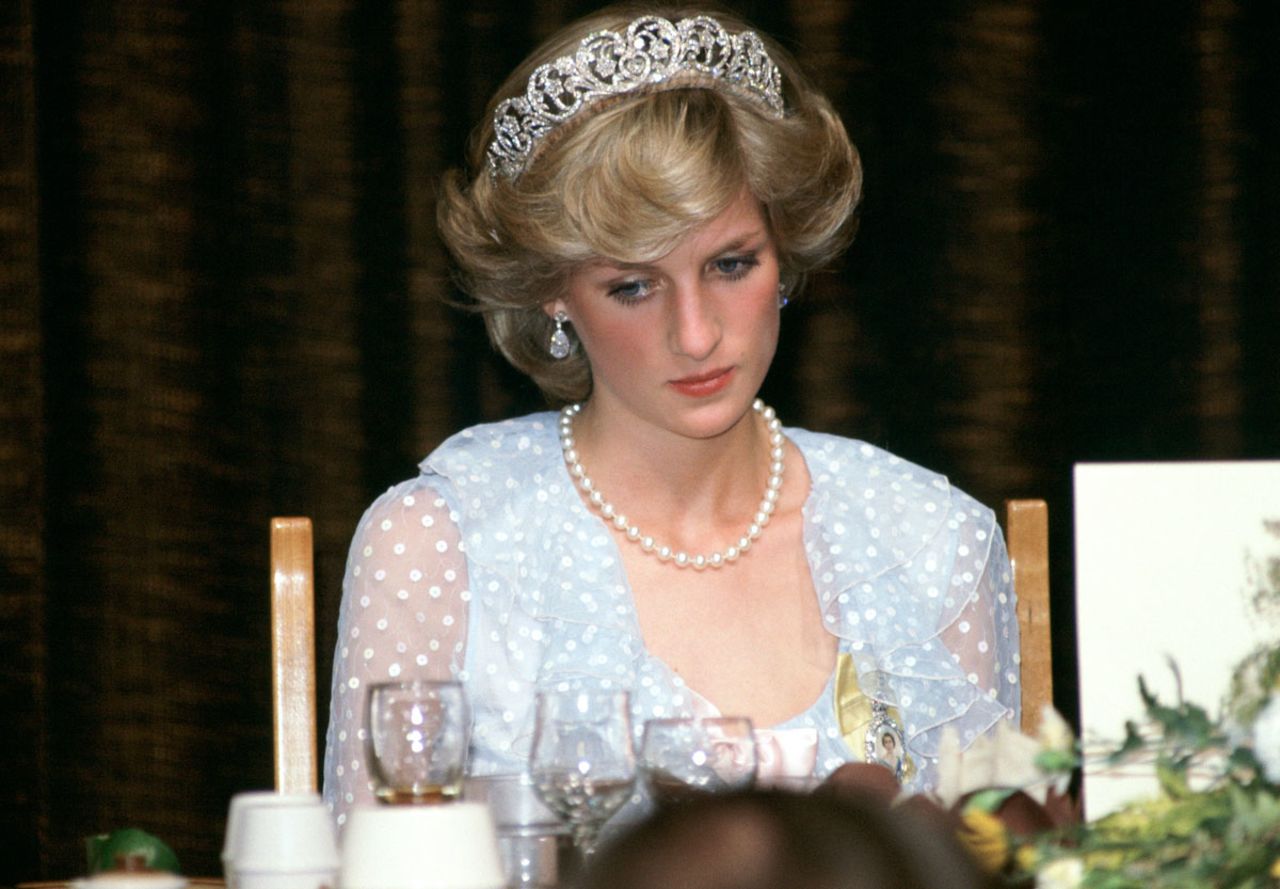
(582, 763)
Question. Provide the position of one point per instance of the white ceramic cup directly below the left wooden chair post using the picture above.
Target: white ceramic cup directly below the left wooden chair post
(280, 842)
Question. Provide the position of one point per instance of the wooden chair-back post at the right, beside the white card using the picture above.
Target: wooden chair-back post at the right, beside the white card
(1027, 537)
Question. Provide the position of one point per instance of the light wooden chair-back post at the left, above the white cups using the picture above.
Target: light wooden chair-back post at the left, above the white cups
(294, 668)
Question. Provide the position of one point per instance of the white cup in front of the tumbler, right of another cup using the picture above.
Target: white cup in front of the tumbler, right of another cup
(420, 847)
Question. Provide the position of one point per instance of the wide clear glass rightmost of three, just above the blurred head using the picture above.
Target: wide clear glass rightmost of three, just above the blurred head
(684, 758)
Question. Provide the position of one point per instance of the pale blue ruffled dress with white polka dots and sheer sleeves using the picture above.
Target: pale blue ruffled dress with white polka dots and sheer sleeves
(488, 567)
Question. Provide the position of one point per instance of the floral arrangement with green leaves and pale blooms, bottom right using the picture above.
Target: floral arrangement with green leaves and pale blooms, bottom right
(1215, 822)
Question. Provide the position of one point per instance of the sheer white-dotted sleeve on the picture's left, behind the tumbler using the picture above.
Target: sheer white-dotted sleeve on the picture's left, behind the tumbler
(404, 616)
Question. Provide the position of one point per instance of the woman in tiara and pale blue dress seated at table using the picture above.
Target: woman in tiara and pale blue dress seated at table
(647, 193)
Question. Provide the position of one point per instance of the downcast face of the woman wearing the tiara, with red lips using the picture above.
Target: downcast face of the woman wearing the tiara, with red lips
(684, 342)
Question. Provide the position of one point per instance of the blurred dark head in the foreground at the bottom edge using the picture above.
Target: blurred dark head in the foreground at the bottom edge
(776, 841)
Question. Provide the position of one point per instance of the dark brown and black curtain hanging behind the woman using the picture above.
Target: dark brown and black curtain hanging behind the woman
(222, 290)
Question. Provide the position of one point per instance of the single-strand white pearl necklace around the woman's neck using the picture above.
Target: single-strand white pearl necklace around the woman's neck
(682, 560)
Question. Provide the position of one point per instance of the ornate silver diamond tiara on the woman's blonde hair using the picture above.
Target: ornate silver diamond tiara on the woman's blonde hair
(653, 52)
